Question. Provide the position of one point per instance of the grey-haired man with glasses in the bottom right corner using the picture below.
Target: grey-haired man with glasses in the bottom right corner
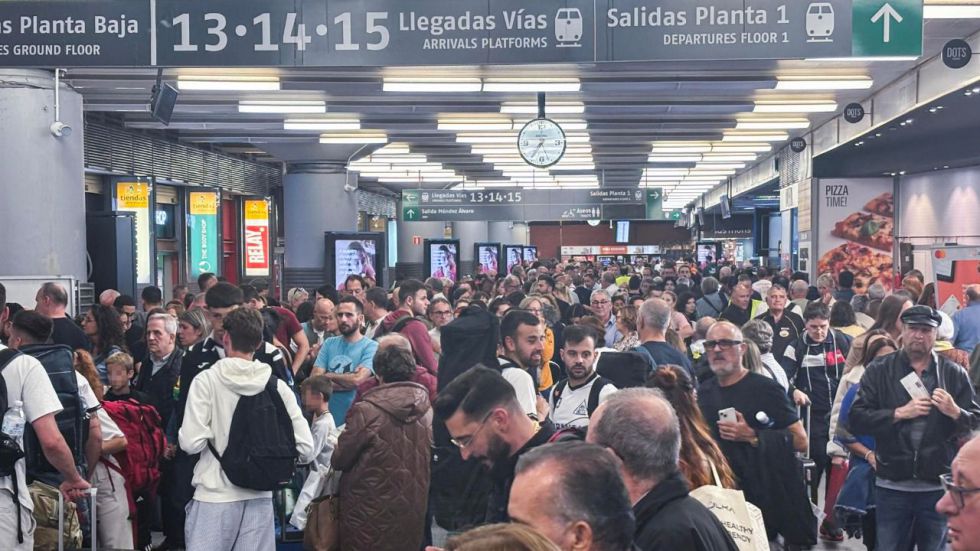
(961, 500)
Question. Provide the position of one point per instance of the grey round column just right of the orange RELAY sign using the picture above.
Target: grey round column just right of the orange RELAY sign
(314, 202)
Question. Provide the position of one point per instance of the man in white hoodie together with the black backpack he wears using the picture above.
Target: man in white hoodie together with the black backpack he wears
(250, 432)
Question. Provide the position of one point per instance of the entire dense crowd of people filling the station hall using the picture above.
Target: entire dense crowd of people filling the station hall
(563, 405)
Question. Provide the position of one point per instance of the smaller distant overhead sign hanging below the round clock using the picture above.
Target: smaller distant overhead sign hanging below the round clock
(533, 204)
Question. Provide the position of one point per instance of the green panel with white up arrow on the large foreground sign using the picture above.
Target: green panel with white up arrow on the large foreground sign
(886, 28)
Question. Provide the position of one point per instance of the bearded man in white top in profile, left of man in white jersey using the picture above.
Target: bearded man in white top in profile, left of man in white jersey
(522, 341)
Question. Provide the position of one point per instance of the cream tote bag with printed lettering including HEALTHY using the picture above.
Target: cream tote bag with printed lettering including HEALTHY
(742, 519)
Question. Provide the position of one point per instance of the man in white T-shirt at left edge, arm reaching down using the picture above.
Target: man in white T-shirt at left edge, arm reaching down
(27, 382)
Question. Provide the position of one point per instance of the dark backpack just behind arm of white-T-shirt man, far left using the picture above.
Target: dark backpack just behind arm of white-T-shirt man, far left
(58, 361)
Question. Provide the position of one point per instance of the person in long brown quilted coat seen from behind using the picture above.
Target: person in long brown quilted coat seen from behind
(384, 455)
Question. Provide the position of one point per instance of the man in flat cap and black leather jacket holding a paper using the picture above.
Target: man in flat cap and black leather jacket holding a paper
(916, 404)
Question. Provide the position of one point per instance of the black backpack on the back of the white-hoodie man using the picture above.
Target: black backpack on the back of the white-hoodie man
(261, 452)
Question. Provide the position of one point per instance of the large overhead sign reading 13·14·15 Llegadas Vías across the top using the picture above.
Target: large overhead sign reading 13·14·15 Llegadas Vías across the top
(344, 33)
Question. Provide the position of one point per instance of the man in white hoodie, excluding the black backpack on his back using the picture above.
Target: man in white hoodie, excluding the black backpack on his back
(223, 516)
